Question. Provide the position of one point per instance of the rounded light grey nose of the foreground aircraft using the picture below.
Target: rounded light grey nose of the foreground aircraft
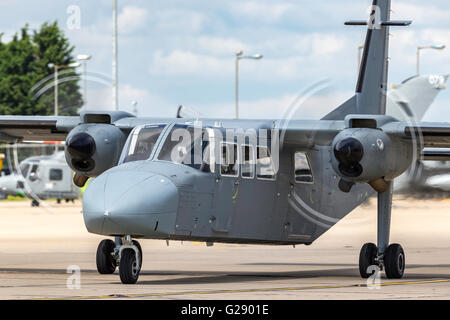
(123, 202)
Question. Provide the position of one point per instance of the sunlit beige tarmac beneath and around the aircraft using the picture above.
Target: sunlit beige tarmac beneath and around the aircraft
(46, 253)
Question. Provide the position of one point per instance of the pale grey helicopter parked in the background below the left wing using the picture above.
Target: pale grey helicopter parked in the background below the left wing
(40, 178)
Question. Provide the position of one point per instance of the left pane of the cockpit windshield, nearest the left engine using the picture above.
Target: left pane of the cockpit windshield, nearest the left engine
(141, 143)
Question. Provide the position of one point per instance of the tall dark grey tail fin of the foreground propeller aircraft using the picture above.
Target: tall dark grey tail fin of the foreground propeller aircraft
(370, 97)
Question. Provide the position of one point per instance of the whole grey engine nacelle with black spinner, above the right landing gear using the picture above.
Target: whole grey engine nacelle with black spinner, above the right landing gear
(368, 155)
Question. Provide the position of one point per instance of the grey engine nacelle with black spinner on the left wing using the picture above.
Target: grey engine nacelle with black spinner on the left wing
(92, 149)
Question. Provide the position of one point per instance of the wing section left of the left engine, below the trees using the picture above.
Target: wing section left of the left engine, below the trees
(18, 128)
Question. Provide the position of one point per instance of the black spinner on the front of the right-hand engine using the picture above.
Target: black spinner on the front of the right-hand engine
(349, 152)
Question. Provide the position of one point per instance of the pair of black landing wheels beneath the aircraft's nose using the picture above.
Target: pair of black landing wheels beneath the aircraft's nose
(124, 253)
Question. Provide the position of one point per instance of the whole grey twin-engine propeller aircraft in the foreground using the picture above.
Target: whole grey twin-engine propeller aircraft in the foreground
(279, 182)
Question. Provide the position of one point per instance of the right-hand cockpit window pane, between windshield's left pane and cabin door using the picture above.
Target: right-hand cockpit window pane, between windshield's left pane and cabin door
(187, 145)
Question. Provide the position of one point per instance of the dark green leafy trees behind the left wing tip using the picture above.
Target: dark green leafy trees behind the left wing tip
(25, 73)
